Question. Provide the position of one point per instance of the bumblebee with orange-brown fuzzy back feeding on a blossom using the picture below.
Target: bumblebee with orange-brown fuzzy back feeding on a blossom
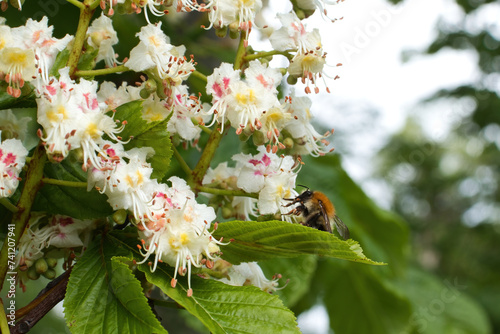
(318, 212)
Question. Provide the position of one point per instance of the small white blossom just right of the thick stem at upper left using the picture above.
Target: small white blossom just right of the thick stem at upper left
(102, 36)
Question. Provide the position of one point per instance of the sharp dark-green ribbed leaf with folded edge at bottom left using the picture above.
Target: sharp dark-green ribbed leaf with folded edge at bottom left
(103, 296)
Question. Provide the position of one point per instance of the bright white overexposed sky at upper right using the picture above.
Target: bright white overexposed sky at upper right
(370, 41)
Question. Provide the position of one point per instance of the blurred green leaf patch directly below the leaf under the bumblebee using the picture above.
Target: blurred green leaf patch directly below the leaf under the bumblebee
(297, 272)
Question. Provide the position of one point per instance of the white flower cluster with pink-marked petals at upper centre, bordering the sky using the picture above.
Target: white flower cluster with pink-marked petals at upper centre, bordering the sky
(252, 107)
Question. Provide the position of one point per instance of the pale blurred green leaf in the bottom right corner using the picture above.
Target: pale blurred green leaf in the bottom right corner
(442, 306)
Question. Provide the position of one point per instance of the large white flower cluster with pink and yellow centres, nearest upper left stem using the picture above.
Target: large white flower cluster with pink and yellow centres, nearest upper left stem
(72, 117)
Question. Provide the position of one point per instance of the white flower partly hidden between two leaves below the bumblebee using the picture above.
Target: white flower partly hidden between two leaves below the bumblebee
(250, 273)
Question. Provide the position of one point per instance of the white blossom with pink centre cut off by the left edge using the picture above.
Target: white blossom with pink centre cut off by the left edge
(12, 160)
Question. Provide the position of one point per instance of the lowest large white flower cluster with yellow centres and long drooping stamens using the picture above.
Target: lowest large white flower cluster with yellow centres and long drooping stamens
(177, 233)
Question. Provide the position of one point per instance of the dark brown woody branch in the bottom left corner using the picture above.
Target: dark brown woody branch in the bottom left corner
(49, 297)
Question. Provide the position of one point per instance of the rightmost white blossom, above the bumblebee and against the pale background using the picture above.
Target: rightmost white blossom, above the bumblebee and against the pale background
(306, 139)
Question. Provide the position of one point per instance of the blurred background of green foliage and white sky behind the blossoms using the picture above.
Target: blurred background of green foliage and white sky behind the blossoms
(415, 170)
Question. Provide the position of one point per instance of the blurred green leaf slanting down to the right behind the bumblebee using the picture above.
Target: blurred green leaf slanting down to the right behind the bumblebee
(383, 234)
